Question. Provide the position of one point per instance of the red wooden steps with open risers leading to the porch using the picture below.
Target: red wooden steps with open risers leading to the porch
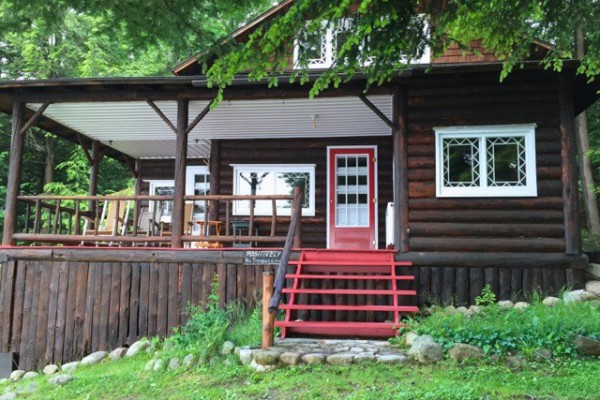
(337, 266)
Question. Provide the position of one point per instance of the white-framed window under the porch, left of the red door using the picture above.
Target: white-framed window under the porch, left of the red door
(273, 179)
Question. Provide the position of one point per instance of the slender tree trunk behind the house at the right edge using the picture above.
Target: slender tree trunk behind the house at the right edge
(585, 165)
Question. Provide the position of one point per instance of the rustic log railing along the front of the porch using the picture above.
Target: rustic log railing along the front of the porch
(141, 220)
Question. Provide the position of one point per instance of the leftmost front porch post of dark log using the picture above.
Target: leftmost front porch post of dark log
(14, 173)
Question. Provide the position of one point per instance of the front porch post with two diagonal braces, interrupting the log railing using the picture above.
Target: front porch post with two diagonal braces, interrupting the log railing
(177, 222)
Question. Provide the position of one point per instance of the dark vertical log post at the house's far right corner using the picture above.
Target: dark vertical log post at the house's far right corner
(570, 173)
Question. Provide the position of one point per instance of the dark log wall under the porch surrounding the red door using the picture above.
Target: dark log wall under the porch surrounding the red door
(307, 151)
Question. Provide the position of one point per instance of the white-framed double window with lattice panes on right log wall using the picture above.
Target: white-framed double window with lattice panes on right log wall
(486, 161)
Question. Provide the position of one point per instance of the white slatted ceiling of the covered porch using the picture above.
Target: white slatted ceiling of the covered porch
(135, 129)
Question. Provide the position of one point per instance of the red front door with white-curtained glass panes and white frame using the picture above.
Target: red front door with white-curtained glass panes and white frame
(352, 200)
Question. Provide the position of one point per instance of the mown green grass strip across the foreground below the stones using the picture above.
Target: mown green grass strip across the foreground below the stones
(126, 379)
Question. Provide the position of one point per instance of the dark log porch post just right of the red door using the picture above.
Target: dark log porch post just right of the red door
(400, 160)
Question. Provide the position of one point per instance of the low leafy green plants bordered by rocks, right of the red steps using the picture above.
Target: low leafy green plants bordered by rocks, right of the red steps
(501, 331)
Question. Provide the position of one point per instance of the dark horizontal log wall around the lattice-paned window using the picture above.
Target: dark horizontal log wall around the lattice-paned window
(482, 224)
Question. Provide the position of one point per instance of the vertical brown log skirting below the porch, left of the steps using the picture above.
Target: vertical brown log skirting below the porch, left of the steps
(60, 311)
